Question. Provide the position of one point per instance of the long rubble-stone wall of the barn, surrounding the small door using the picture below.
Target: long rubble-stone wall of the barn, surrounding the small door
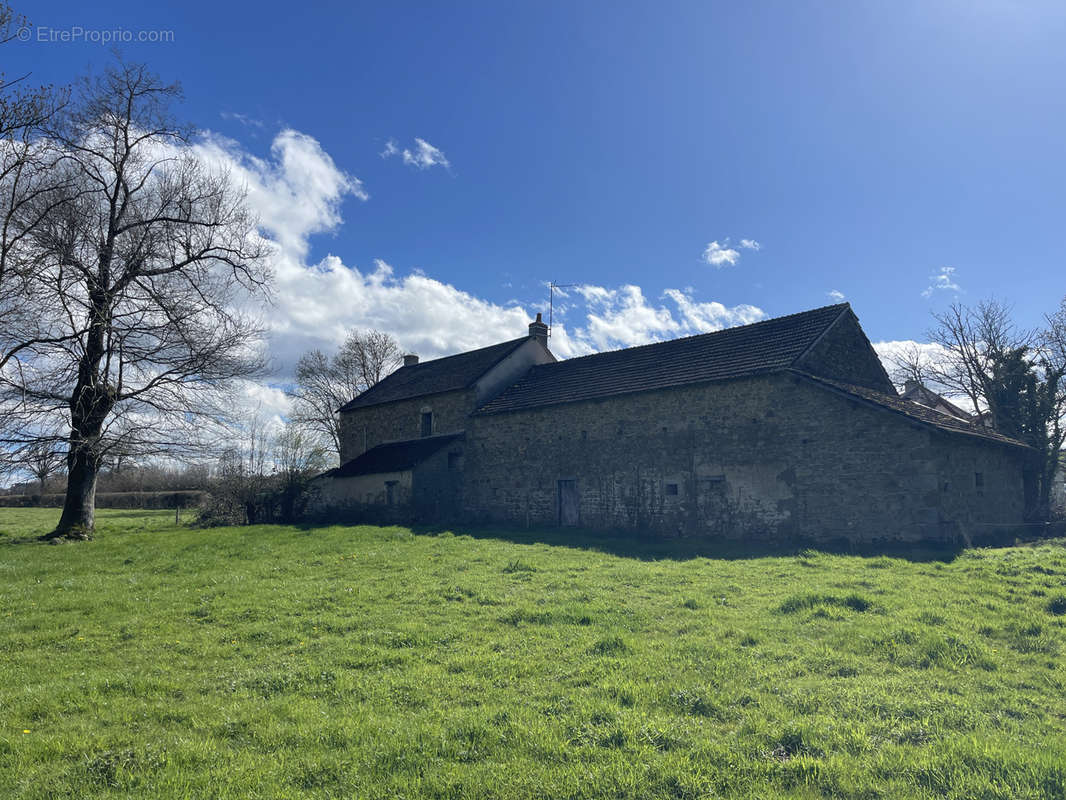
(776, 456)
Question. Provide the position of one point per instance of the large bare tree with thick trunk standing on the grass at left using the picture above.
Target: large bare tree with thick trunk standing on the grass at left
(142, 258)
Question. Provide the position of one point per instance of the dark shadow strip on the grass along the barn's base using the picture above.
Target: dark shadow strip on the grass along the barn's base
(656, 548)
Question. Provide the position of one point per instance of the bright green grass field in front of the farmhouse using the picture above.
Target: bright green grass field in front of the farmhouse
(284, 663)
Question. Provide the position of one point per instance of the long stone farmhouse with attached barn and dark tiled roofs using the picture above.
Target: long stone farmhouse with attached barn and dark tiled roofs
(787, 428)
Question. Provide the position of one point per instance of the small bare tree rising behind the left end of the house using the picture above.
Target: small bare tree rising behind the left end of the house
(325, 385)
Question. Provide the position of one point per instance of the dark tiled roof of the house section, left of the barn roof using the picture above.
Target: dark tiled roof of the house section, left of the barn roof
(433, 377)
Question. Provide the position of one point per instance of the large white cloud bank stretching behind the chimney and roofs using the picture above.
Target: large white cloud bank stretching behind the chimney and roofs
(299, 190)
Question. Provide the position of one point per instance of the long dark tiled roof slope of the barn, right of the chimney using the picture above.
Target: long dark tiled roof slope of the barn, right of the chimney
(735, 353)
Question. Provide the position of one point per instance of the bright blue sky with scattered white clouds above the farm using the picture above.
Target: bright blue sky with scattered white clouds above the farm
(863, 147)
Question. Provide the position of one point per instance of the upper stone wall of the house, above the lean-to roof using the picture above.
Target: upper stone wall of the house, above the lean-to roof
(362, 429)
